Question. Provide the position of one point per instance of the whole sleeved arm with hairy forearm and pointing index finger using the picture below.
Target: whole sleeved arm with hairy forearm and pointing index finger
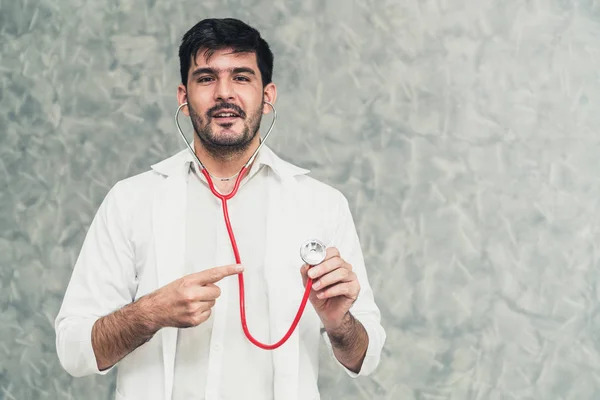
(98, 323)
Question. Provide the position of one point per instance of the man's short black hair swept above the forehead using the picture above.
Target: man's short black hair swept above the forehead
(216, 34)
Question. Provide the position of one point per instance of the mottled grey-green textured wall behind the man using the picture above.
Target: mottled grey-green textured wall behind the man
(464, 133)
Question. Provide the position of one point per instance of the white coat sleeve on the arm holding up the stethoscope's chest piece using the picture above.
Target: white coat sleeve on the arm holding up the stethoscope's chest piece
(364, 309)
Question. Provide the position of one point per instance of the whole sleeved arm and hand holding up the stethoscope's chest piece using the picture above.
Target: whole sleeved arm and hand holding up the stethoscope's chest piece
(348, 313)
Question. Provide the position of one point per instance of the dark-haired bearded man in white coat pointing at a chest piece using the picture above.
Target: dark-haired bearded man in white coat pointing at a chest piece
(154, 290)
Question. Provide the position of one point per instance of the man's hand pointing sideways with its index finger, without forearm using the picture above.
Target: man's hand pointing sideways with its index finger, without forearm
(188, 301)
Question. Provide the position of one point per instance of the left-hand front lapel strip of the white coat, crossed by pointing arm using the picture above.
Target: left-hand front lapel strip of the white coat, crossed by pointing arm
(168, 215)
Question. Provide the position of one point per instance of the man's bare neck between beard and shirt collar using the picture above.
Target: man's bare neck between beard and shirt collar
(224, 165)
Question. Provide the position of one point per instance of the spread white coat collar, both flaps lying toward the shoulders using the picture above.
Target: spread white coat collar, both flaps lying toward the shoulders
(266, 156)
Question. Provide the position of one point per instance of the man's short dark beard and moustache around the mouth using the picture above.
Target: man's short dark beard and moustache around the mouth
(226, 145)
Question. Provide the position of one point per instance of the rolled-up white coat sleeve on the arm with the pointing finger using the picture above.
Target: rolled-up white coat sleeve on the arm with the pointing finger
(103, 281)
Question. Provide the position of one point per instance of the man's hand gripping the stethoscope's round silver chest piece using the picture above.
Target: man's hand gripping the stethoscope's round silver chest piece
(335, 288)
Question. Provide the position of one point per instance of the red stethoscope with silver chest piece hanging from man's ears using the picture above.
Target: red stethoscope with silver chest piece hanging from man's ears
(312, 251)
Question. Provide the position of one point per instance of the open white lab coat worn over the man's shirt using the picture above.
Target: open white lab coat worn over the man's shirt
(136, 244)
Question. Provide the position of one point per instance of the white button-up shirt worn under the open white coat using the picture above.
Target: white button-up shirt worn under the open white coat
(226, 374)
